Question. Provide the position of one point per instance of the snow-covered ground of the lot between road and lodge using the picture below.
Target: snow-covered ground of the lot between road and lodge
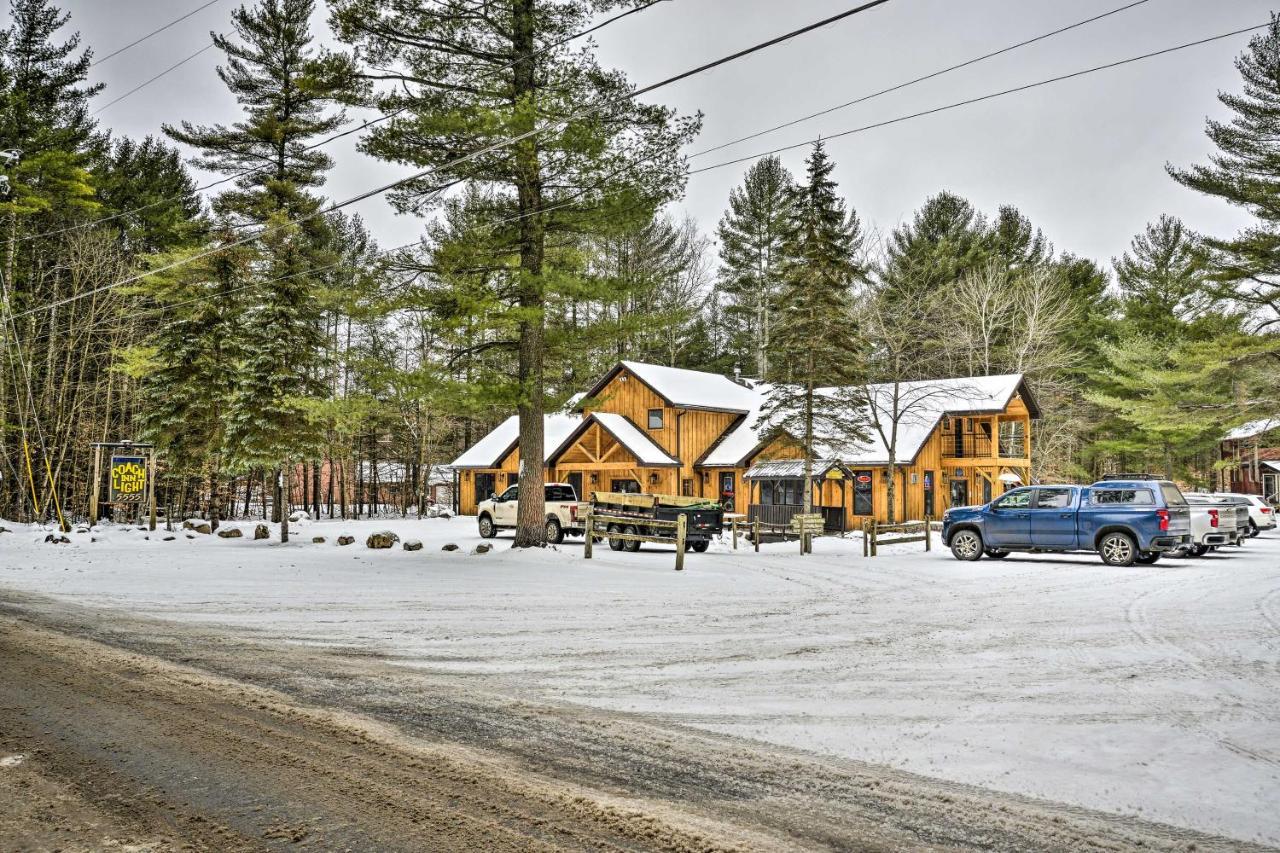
(1153, 691)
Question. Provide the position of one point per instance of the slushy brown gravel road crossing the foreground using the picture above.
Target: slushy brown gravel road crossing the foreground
(121, 733)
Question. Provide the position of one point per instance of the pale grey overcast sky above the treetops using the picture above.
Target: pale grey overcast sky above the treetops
(1084, 159)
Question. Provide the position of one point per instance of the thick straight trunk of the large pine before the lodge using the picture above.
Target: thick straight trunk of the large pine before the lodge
(529, 514)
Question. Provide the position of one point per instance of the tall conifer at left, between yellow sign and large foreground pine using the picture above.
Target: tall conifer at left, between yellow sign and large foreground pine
(286, 88)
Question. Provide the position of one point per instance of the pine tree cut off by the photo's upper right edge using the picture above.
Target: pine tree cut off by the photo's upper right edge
(1246, 174)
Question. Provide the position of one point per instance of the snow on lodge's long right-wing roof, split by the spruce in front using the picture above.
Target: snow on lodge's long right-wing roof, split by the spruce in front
(921, 405)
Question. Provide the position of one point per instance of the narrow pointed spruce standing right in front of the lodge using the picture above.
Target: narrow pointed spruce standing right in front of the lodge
(816, 398)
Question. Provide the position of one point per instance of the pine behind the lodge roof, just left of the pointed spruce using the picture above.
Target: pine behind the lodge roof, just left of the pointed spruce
(751, 249)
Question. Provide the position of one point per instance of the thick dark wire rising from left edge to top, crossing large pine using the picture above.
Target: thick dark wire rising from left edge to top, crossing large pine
(467, 158)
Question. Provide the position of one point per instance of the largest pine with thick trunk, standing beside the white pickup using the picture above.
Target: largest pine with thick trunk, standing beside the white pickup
(465, 77)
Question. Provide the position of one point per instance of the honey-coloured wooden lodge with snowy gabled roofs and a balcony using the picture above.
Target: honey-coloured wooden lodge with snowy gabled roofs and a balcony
(647, 428)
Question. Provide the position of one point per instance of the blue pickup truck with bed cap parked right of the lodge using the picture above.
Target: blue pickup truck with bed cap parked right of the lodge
(1124, 522)
